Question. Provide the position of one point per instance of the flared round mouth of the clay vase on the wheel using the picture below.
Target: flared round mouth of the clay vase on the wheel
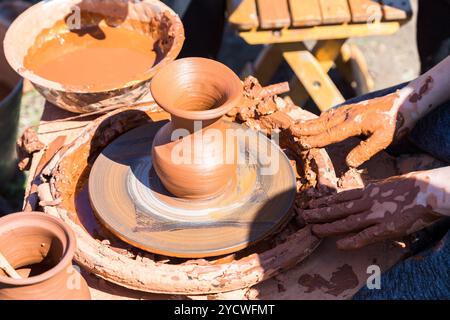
(196, 69)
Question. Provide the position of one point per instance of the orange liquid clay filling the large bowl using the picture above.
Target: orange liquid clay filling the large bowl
(72, 59)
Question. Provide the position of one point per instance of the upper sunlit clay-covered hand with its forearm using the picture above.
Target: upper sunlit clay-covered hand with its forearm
(382, 119)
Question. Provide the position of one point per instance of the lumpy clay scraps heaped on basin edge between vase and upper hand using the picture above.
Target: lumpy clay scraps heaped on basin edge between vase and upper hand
(262, 109)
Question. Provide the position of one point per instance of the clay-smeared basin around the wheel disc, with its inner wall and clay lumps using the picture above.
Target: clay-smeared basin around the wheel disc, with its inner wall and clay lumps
(108, 258)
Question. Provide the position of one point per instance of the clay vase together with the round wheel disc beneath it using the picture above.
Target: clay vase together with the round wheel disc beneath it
(202, 191)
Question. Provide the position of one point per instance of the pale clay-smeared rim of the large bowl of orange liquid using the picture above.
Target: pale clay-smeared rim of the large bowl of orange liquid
(23, 22)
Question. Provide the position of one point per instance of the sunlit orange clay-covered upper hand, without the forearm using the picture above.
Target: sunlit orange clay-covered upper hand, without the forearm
(376, 118)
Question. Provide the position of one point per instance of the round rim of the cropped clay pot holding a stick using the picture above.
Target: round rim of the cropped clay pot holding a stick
(24, 219)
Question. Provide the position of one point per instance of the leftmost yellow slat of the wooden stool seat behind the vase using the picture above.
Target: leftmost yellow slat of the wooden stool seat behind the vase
(243, 14)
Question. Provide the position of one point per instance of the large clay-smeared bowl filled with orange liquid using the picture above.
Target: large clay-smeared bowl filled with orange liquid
(84, 22)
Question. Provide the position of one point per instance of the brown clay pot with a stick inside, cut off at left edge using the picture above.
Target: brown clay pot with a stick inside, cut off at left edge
(40, 247)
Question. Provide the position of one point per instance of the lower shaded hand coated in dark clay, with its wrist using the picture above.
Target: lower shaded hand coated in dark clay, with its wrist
(387, 209)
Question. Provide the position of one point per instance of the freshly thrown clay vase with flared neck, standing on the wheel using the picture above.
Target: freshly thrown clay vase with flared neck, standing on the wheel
(197, 93)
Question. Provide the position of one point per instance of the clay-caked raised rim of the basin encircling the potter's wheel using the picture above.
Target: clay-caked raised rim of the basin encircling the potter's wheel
(150, 276)
